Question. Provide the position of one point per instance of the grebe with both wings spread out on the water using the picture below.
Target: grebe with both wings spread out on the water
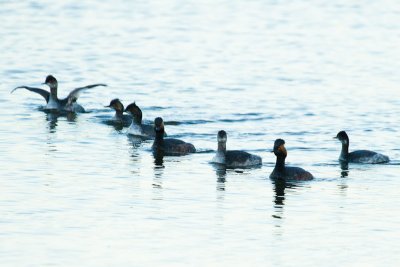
(53, 103)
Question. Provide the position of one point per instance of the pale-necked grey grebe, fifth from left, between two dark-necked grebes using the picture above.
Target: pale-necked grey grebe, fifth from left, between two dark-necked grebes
(233, 158)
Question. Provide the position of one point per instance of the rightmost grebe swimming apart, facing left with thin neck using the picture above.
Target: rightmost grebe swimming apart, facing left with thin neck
(358, 156)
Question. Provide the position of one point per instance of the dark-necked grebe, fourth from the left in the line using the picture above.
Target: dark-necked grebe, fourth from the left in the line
(169, 146)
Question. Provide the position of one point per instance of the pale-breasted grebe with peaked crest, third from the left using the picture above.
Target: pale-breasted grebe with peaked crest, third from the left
(137, 127)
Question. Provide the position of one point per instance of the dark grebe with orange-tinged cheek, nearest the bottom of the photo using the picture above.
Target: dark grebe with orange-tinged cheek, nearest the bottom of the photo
(281, 171)
